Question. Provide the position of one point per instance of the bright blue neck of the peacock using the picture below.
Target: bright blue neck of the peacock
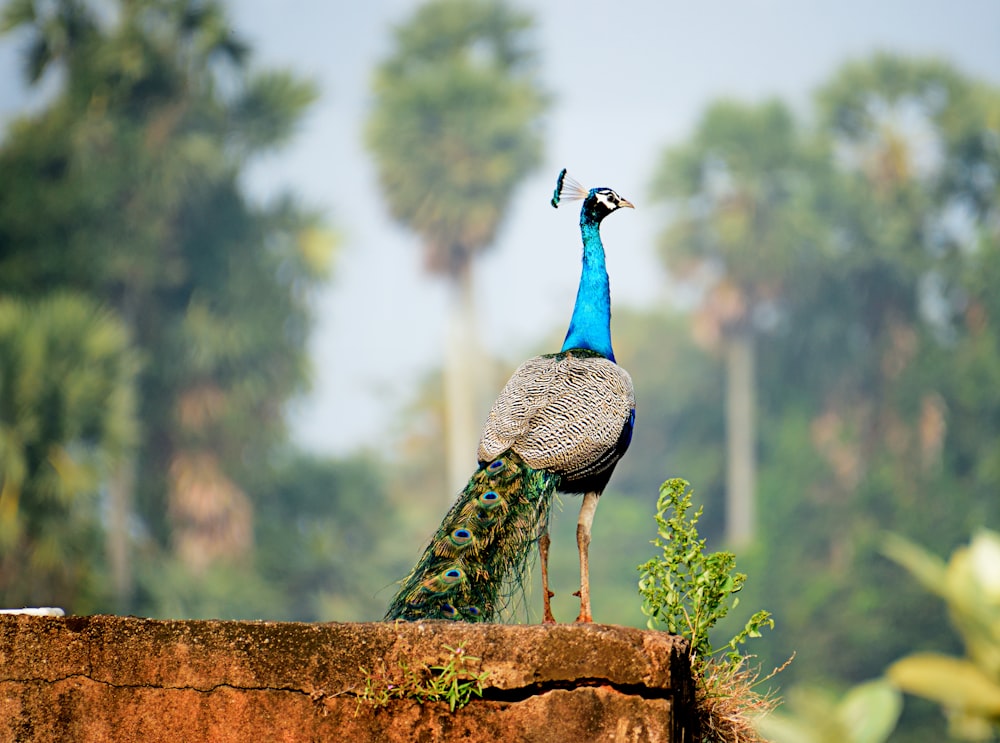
(590, 326)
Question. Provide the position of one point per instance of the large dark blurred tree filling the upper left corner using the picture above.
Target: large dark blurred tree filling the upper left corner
(127, 187)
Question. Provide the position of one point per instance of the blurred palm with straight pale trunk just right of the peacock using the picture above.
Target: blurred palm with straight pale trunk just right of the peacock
(742, 216)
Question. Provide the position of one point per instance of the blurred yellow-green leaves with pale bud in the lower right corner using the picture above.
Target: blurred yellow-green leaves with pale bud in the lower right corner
(968, 689)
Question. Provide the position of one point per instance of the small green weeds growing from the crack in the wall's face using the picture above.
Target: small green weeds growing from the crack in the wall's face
(452, 681)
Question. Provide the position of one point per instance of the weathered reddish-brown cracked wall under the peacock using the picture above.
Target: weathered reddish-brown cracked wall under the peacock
(104, 678)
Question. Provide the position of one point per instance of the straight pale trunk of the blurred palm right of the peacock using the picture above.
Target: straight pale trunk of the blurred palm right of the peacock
(740, 444)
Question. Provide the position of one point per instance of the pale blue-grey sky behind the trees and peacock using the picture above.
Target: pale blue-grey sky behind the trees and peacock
(628, 78)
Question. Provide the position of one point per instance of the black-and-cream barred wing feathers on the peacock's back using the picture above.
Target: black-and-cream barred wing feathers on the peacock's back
(561, 413)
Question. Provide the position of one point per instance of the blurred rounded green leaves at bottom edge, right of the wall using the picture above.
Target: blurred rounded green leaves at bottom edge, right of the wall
(866, 713)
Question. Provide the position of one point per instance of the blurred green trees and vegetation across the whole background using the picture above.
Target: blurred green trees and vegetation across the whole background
(828, 373)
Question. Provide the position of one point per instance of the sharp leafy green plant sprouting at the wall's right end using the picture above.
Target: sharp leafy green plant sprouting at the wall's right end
(686, 590)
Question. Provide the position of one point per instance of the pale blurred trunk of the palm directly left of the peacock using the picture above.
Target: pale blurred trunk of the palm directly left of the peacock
(461, 376)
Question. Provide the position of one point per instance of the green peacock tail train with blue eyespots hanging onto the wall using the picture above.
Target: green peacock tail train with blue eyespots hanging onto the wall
(475, 562)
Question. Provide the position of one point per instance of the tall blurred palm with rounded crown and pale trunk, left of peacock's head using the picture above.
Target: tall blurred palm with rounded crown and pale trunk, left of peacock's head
(454, 128)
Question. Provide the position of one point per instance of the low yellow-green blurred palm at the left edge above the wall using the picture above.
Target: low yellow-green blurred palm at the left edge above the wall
(67, 416)
